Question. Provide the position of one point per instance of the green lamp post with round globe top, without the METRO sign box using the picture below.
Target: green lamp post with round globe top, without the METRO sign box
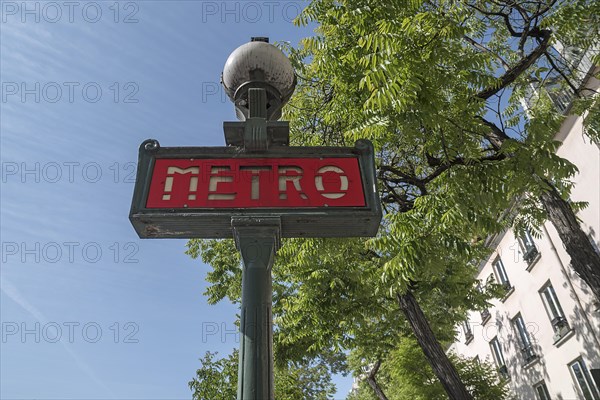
(259, 79)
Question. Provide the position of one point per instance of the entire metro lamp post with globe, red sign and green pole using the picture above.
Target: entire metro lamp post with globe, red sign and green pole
(257, 189)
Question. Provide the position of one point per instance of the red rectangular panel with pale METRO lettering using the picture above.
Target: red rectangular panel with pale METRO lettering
(256, 183)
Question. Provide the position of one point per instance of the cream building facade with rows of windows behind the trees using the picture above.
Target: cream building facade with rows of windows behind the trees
(544, 334)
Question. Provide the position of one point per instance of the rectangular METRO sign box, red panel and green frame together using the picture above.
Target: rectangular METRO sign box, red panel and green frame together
(193, 192)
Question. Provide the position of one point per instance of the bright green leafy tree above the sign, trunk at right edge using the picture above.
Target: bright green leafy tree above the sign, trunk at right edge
(449, 77)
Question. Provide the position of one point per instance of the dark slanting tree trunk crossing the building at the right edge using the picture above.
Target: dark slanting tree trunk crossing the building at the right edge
(585, 261)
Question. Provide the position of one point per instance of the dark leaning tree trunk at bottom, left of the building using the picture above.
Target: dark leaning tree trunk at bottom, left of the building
(442, 367)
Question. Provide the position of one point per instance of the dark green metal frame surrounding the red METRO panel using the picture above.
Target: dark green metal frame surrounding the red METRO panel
(216, 223)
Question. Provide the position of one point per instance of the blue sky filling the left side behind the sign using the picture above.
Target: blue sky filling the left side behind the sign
(88, 310)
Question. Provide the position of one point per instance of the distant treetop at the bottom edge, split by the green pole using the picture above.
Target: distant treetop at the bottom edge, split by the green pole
(217, 380)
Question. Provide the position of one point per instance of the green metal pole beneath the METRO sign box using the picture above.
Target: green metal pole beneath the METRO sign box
(257, 239)
